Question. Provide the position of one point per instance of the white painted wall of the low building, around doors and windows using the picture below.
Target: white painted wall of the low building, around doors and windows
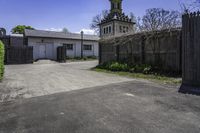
(76, 52)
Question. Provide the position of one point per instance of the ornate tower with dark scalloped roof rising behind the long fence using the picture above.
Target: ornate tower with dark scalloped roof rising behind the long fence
(116, 23)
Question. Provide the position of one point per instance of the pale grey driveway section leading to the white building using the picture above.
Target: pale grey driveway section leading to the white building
(46, 77)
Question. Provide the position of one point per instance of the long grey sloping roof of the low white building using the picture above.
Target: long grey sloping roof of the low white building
(59, 35)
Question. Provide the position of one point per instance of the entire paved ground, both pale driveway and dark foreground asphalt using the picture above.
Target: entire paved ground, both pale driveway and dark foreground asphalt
(107, 104)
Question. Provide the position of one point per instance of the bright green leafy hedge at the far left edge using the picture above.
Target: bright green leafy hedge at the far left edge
(1, 60)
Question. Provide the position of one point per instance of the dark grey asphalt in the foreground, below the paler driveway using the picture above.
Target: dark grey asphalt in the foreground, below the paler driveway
(128, 107)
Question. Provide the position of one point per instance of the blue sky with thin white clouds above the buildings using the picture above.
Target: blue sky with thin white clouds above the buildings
(73, 14)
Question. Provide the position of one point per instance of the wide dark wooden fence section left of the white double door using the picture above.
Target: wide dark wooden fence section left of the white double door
(19, 55)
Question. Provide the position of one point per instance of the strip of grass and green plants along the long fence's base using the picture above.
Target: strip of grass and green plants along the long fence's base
(140, 71)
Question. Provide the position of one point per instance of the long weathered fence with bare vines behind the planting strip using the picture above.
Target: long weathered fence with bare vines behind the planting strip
(159, 48)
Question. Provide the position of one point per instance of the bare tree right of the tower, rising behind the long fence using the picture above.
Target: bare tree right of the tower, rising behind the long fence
(159, 19)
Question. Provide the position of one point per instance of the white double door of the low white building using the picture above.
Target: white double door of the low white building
(43, 51)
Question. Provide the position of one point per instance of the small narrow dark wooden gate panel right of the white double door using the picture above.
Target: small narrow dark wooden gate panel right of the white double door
(61, 54)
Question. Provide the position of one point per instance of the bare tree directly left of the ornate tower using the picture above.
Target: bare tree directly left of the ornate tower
(97, 20)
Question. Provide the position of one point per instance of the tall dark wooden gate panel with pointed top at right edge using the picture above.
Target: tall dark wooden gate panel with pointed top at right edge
(191, 53)
